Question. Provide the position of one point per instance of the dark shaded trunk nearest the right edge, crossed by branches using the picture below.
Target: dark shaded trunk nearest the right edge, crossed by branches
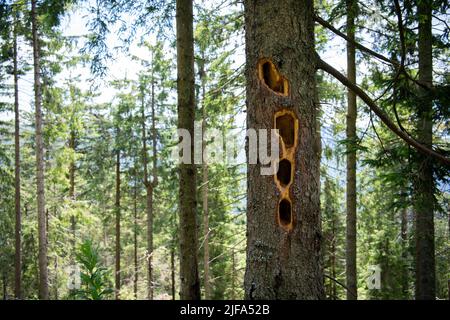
(423, 184)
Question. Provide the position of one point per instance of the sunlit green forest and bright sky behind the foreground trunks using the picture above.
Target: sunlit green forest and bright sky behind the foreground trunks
(109, 102)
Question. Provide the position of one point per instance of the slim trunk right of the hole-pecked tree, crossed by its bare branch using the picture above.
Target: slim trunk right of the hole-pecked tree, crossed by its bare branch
(350, 254)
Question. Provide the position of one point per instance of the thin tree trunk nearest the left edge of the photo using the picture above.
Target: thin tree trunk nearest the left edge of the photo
(18, 225)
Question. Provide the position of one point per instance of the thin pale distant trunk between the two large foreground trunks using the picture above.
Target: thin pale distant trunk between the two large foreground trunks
(205, 186)
